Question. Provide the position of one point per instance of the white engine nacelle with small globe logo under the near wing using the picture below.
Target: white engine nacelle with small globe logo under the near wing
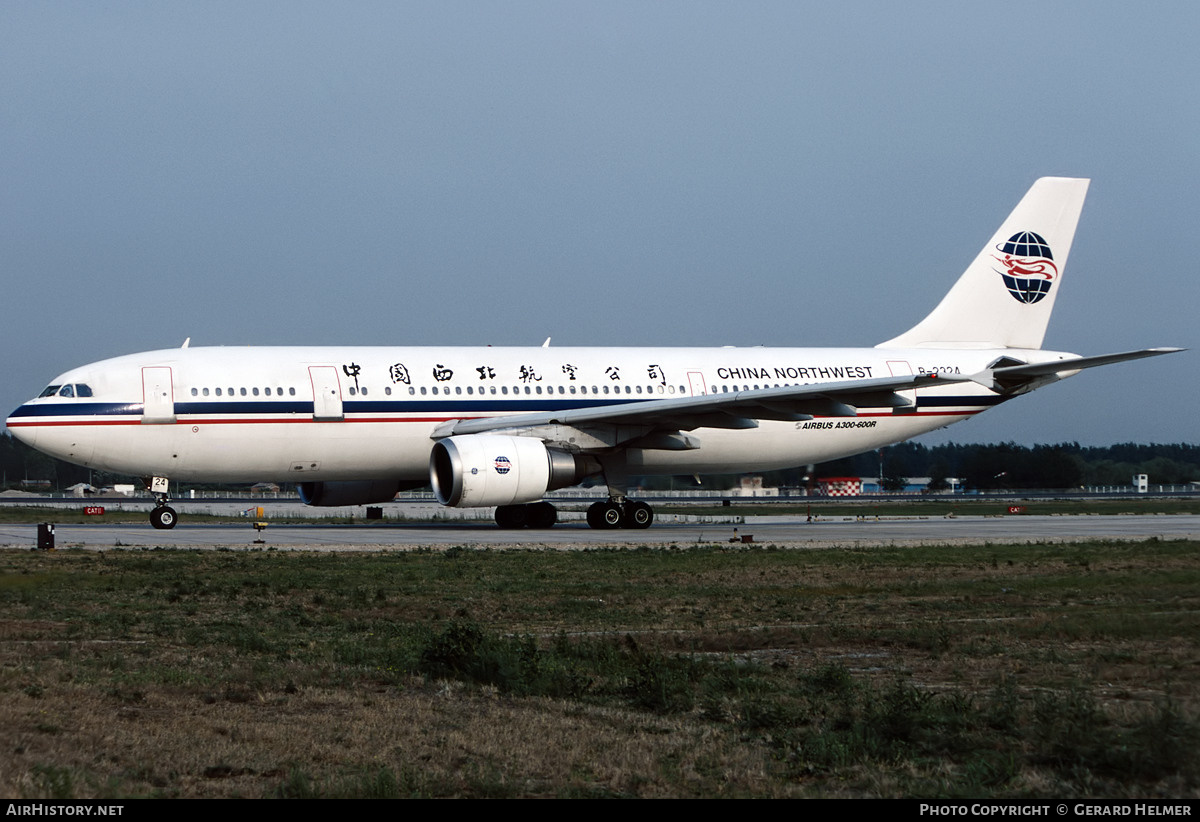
(494, 470)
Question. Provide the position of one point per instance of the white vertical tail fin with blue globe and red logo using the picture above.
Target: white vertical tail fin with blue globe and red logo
(1005, 298)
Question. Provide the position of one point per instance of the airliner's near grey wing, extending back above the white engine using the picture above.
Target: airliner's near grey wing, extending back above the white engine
(737, 410)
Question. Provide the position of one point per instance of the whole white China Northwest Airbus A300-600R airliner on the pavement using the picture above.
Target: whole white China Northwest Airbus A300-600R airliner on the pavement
(502, 427)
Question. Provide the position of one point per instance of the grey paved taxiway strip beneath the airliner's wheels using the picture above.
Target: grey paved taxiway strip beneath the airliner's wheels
(784, 531)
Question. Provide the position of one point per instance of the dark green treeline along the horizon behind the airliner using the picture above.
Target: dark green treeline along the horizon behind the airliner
(988, 466)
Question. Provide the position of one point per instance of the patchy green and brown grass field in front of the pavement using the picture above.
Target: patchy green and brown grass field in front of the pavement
(1000, 671)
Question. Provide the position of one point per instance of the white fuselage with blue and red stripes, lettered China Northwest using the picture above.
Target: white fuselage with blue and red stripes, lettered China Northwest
(307, 415)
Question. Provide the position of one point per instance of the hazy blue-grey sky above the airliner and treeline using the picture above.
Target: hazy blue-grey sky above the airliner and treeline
(601, 173)
